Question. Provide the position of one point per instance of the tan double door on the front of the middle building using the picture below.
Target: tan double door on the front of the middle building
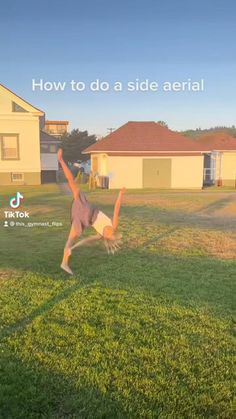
(157, 173)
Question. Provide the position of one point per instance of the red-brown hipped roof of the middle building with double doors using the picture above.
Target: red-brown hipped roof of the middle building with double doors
(144, 137)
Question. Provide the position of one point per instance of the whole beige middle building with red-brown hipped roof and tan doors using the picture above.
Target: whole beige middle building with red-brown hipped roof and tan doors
(148, 155)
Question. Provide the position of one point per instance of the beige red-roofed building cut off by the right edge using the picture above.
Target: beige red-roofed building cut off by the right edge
(219, 158)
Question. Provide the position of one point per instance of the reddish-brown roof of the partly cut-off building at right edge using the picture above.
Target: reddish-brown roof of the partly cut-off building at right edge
(220, 141)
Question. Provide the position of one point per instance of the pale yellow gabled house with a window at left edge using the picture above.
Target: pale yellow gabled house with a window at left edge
(21, 135)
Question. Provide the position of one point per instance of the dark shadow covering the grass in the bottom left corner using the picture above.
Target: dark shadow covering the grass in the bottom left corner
(30, 391)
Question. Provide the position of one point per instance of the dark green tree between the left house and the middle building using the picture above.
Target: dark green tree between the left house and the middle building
(74, 143)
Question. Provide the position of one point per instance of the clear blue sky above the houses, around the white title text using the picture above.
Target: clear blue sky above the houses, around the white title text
(169, 40)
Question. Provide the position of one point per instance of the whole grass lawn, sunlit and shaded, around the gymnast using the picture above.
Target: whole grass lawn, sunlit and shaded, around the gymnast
(146, 333)
